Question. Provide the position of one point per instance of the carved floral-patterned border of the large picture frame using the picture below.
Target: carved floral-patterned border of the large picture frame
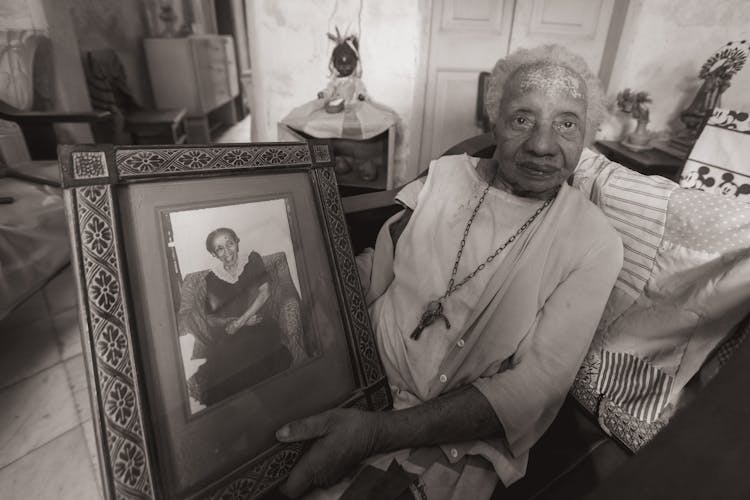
(89, 174)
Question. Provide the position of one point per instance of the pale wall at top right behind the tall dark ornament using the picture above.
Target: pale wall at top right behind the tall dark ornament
(664, 43)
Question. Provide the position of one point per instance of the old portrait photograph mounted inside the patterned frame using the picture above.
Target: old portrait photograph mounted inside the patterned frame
(239, 308)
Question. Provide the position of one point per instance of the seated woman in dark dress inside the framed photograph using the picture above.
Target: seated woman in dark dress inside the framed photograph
(245, 343)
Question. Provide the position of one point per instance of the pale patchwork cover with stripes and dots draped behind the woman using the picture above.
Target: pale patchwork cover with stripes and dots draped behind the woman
(684, 285)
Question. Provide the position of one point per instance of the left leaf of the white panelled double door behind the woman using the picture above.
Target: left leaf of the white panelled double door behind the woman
(466, 38)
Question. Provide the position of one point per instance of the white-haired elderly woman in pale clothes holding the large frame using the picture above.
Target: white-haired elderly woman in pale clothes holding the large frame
(486, 308)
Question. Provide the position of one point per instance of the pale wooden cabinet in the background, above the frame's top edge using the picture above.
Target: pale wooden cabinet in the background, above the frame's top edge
(198, 73)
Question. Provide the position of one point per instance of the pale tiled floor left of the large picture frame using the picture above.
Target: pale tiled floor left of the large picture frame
(47, 448)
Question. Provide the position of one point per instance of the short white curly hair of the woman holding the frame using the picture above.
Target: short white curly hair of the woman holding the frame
(552, 54)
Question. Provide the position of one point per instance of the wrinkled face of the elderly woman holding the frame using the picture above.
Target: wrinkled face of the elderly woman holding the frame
(540, 129)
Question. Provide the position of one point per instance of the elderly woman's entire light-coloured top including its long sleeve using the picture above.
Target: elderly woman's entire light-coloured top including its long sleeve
(519, 329)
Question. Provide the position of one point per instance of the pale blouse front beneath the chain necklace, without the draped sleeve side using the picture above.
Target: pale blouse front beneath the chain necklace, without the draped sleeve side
(432, 240)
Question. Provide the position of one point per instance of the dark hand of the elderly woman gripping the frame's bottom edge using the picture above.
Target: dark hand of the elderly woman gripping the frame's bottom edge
(343, 438)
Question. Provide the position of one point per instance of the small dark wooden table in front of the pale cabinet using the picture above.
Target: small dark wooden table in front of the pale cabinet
(161, 126)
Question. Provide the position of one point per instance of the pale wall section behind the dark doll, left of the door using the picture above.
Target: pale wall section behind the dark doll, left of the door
(290, 53)
